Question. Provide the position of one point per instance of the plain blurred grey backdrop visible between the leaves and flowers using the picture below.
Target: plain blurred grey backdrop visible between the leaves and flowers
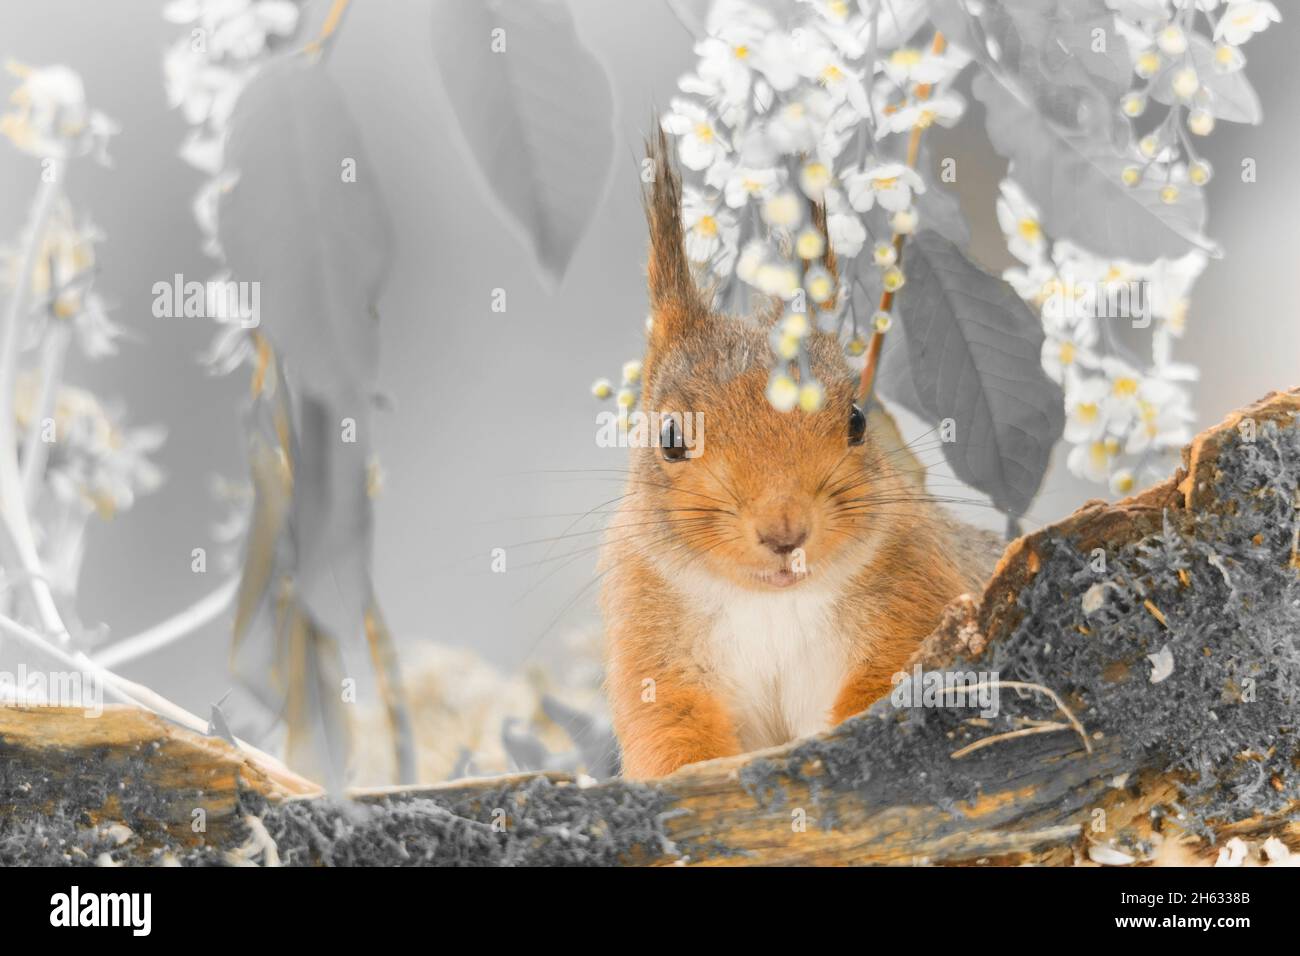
(491, 408)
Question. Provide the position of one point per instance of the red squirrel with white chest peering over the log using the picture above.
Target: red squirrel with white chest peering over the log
(772, 586)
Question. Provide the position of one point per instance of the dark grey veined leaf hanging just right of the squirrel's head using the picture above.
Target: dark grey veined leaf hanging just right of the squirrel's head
(974, 349)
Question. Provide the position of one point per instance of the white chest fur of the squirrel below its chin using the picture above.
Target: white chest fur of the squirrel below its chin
(778, 659)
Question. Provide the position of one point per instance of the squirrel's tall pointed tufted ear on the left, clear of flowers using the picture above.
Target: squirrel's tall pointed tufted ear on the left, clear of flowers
(675, 302)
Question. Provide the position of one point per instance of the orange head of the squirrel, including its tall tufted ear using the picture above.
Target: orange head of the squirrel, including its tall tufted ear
(729, 483)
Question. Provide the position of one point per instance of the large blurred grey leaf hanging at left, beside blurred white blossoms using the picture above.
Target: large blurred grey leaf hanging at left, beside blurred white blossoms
(318, 244)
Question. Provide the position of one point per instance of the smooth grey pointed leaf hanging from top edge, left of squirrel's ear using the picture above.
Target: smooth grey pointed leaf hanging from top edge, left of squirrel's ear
(538, 118)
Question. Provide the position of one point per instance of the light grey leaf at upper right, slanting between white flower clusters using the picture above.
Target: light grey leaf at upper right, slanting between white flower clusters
(1074, 180)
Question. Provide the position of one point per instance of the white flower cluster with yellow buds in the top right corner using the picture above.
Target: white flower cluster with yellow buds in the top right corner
(1197, 75)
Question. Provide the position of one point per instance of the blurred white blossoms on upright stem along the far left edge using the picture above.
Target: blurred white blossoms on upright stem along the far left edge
(76, 460)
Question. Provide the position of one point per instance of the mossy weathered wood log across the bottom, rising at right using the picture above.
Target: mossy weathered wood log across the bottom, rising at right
(1147, 671)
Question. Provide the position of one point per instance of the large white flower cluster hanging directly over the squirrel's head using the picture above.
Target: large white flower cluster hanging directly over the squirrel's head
(783, 118)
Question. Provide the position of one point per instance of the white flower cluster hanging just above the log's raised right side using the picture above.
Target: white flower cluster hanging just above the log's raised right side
(1123, 413)
